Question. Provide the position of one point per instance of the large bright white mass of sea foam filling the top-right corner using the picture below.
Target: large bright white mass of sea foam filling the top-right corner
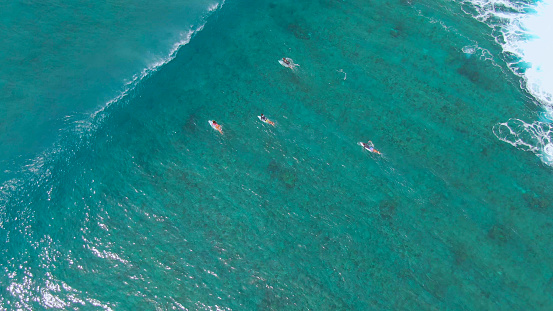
(524, 30)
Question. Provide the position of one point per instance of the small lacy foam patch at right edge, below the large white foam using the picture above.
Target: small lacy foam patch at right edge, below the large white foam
(536, 137)
